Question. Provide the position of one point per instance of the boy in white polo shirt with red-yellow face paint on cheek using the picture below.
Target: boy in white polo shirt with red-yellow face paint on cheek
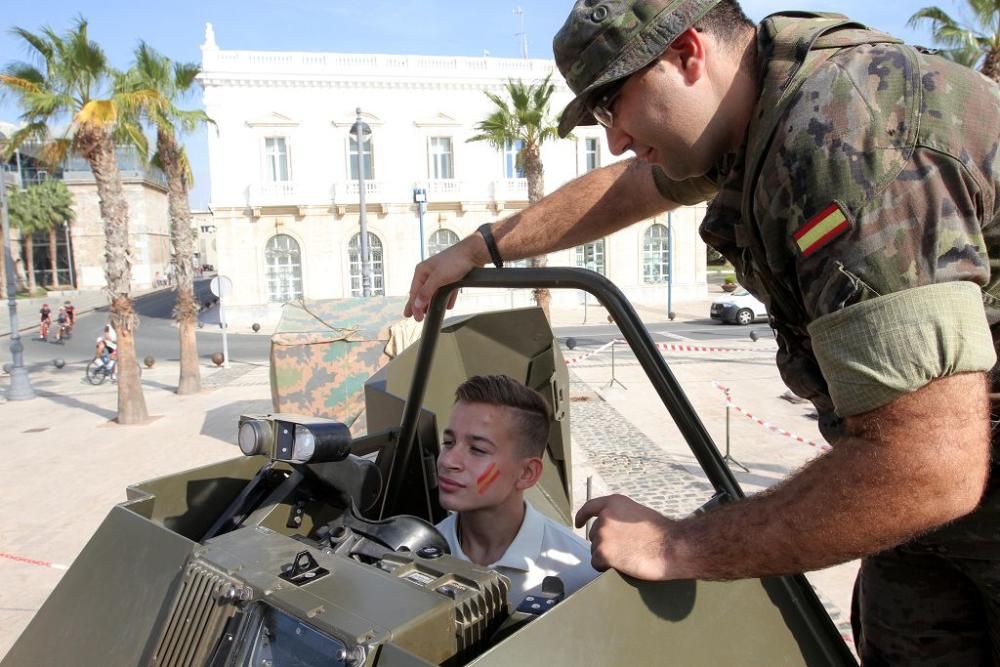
(490, 454)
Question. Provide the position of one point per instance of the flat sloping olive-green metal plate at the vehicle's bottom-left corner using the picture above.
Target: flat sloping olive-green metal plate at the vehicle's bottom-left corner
(105, 607)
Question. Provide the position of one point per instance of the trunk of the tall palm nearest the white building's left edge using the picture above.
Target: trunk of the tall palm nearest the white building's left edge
(186, 308)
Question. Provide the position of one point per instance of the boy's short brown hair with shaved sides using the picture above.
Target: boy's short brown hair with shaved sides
(531, 413)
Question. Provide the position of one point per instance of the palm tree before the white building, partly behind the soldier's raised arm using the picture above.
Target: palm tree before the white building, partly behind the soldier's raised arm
(527, 123)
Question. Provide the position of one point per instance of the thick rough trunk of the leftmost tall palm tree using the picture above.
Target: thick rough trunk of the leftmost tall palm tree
(97, 146)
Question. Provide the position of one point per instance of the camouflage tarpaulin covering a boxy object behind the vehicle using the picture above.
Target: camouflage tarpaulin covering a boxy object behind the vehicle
(323, 351)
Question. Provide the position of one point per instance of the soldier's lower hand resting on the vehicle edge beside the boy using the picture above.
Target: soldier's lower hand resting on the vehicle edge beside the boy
(627, 536)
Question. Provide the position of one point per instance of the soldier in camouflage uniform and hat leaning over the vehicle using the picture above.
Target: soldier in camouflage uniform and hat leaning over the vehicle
(854, 184)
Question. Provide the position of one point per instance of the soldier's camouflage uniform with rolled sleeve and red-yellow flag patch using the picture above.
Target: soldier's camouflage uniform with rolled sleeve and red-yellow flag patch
(863, 210)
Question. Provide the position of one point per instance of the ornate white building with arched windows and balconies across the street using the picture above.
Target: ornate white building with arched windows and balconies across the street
(284, 176)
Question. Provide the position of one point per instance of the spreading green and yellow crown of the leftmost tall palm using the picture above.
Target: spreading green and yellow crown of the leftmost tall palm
(69, 85)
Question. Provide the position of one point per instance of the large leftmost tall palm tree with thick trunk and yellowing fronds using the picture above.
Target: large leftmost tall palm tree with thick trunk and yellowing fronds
(73, 82)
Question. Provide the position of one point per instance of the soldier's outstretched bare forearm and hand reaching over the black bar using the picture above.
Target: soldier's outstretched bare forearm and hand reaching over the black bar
(598, 203)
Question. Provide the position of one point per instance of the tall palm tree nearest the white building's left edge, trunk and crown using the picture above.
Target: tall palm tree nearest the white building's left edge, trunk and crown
(162, 82)
